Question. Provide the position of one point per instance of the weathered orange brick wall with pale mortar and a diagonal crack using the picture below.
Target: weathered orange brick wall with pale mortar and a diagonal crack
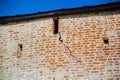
(77, 52)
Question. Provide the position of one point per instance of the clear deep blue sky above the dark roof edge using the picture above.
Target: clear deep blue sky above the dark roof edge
(18, 7)
